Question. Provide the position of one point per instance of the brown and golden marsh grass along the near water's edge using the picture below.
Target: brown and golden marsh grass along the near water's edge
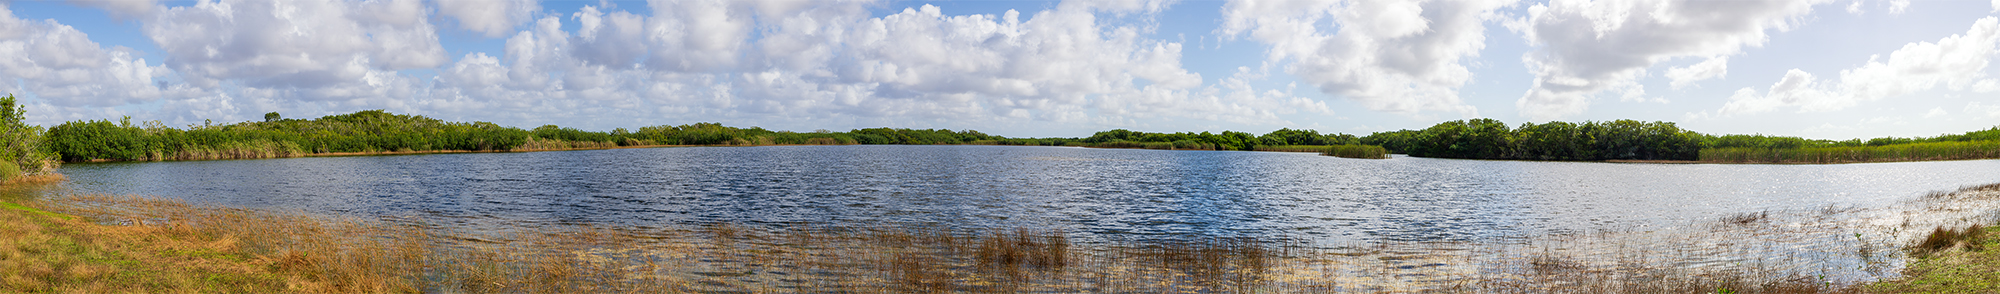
(155, 243)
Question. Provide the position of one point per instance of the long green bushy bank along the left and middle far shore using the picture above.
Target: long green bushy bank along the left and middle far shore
(383, 133)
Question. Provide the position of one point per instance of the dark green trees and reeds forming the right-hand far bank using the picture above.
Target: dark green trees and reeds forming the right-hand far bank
(1487, 139)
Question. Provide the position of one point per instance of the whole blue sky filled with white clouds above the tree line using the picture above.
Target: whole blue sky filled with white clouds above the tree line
(1815, 69)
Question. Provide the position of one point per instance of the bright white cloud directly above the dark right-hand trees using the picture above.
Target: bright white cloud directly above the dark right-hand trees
(1595, 47)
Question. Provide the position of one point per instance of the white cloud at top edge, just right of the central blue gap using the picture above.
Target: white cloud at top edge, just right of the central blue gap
(1397, 57)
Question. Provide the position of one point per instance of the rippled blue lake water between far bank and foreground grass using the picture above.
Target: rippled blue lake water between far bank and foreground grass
(1085, 191)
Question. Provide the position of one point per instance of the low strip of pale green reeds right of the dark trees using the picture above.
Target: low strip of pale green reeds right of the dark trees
(1839, 155)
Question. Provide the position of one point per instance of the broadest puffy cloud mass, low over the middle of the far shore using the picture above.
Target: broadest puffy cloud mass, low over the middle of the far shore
(833, 61)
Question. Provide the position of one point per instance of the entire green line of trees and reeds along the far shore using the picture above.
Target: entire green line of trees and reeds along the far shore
(377, 131)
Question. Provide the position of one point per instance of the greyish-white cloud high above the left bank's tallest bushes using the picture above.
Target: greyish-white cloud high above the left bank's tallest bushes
(295, 45)
